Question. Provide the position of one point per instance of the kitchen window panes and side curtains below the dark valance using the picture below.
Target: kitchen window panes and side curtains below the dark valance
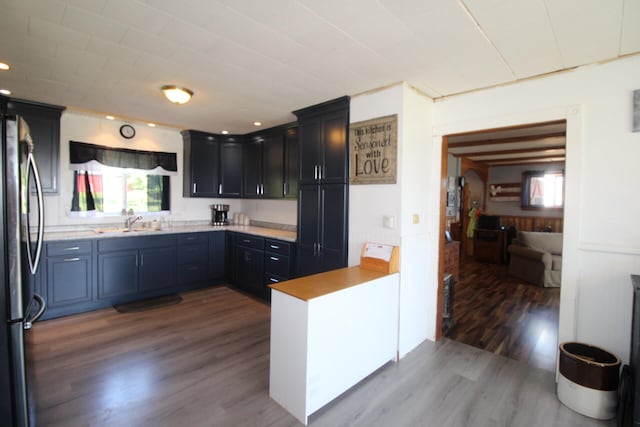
(111, 190)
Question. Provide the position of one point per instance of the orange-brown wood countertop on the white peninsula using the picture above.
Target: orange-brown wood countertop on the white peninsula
(317, 285)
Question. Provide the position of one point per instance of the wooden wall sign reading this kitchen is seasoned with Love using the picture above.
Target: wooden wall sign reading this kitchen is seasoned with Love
(374, 151)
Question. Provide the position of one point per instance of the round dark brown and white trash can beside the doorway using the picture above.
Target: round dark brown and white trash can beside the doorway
(588, 380)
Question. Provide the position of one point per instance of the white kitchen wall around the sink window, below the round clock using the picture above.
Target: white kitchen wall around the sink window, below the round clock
(77, 126)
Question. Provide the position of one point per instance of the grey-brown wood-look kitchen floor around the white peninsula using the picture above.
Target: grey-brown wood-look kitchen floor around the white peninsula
(205, 362)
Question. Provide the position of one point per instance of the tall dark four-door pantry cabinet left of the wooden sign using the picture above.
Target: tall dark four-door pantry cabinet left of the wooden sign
(324, 187)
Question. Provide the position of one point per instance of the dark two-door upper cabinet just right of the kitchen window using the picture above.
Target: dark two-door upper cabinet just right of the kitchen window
(212, 165)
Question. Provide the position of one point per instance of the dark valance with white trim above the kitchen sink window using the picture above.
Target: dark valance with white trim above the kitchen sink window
(83, 156)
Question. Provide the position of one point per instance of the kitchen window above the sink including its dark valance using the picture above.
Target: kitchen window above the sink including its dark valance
(107, 180)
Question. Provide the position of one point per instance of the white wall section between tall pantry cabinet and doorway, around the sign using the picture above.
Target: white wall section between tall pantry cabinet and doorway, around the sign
(417, 165)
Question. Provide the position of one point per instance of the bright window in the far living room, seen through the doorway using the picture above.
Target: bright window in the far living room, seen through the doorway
(543, 190)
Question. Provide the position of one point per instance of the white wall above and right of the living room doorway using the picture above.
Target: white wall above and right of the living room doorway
(601, 239)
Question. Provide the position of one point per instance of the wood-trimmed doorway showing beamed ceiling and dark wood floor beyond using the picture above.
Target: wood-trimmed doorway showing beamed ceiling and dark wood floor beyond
(493, 310)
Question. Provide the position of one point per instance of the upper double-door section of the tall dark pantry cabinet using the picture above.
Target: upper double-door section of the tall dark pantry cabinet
(323, 142)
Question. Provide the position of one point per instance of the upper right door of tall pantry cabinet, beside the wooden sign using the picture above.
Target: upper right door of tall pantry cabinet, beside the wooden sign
(334, 155)
